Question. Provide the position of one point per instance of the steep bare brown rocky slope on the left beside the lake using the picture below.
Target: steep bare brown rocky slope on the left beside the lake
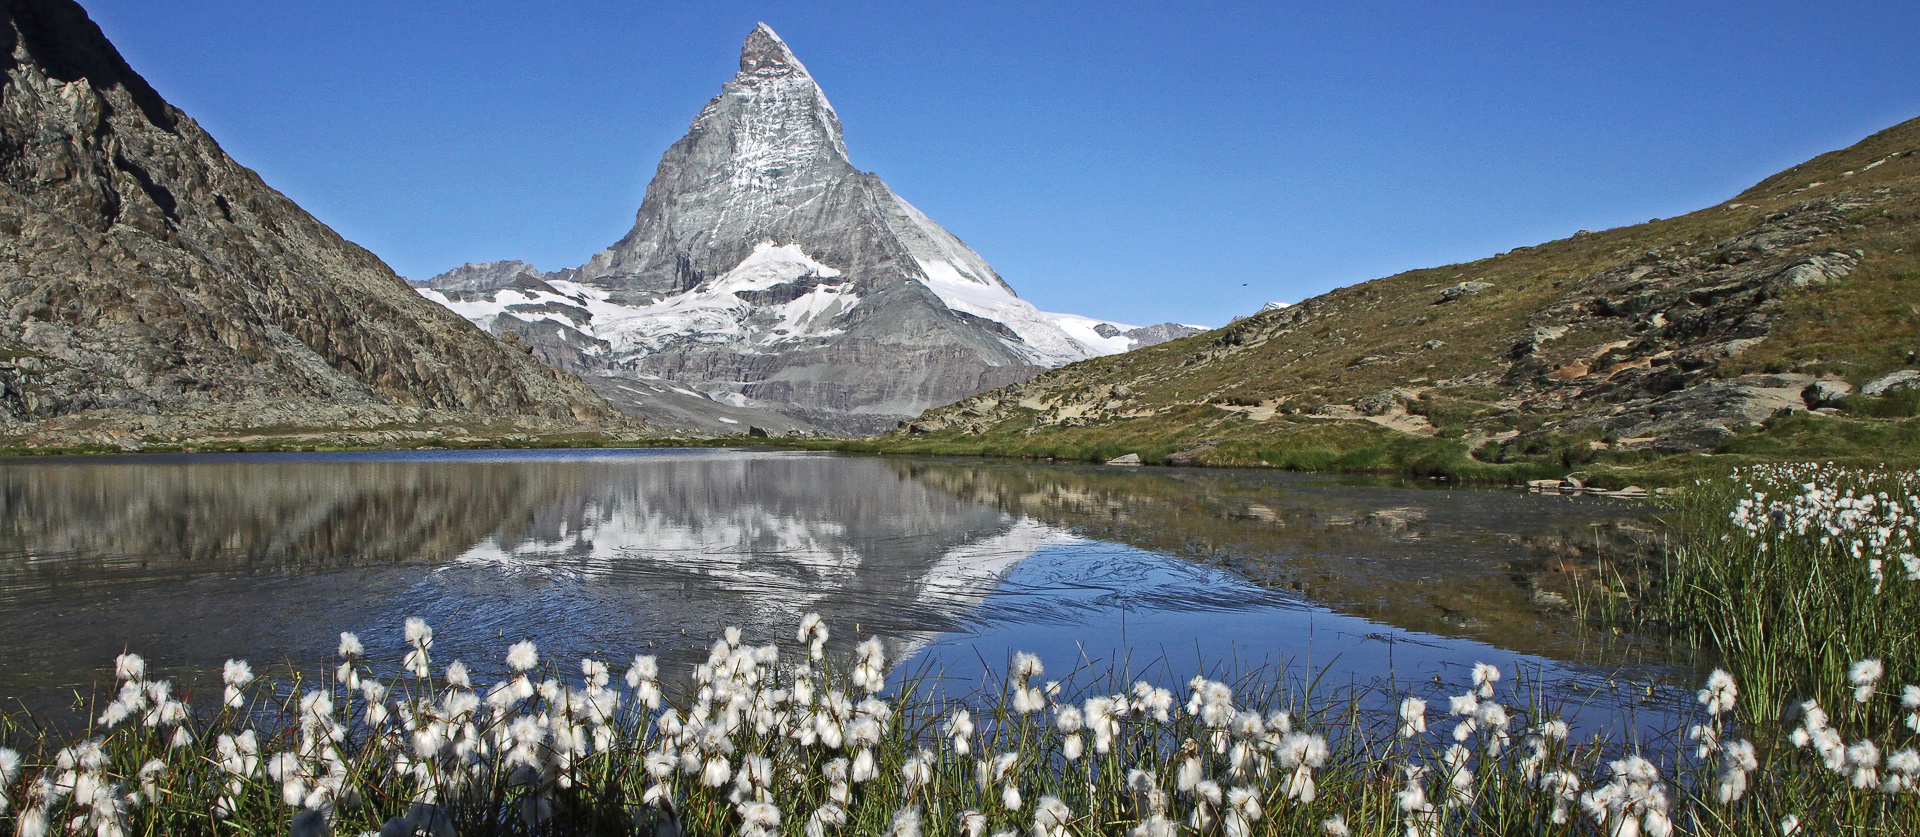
(147, 277)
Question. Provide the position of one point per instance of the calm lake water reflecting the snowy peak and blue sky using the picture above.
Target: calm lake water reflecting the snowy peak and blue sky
(191, 560)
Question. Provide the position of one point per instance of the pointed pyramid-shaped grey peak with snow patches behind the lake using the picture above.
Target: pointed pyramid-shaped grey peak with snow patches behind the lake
(765, 274)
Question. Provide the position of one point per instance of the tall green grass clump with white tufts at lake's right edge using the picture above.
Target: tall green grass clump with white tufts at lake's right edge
(1796, 573)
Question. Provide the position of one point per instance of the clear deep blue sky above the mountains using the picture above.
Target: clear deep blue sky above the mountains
(1136, 162)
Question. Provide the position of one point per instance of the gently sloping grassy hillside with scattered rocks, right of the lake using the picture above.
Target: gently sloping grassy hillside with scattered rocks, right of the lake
(1777, 323)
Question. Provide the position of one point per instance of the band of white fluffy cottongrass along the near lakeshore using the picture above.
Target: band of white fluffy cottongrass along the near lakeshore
(825, 748)
